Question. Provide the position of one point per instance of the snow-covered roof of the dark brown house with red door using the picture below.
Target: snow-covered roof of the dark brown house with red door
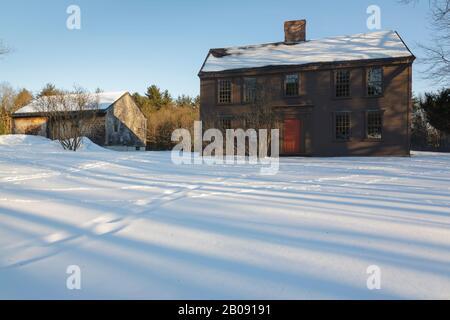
(374, 45)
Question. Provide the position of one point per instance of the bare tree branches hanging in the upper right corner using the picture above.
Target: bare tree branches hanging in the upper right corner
(437, 59)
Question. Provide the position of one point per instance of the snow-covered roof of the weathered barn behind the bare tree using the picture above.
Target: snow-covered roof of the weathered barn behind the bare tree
(101, 101)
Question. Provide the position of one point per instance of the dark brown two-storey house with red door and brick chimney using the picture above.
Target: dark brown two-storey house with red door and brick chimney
(338, 96)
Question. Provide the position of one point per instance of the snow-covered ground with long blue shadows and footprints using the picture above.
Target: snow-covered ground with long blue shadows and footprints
(139, 226)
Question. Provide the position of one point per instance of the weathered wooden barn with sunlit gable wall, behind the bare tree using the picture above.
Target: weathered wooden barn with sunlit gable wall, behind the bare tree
(119, 123)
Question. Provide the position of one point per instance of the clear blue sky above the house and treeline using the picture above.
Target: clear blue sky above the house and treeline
(128, 45)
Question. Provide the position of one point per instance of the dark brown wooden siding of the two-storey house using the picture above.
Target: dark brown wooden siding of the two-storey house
(316, 105)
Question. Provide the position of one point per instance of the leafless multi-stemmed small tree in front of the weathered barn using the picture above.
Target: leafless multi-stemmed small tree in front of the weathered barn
(71, 116)
